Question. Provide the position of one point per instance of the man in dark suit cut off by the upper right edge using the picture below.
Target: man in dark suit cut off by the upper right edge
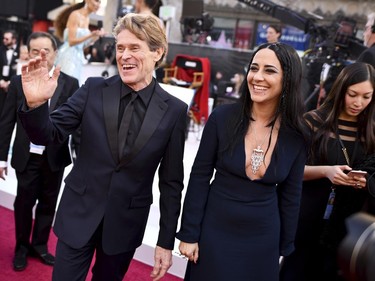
(368, 55)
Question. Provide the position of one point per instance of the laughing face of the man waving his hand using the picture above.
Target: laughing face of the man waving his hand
(135, 61)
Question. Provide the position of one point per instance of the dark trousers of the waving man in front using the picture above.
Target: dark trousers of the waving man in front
(73, 264)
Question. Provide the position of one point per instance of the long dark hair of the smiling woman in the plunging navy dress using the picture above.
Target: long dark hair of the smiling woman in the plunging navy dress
(291, 108)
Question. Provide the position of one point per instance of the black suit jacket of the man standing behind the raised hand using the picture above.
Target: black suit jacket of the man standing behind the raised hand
(58, 154)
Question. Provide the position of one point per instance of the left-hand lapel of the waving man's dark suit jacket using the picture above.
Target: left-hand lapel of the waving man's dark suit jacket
(111, 102)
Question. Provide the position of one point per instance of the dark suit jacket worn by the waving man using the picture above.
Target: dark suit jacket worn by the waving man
(101, 187)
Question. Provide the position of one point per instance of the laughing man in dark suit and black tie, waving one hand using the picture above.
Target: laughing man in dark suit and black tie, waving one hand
(107, 196)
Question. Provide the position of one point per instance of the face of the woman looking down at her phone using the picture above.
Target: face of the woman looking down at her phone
(357, 98)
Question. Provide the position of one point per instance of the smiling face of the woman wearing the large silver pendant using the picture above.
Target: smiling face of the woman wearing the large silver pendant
(265, 77)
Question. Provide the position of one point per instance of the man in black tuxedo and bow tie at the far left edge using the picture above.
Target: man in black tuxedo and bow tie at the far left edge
(9, 53)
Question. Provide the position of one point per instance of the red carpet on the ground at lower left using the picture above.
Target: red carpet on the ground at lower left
(38, 271)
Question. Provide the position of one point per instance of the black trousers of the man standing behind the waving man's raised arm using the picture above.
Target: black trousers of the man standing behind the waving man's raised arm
(37, 183)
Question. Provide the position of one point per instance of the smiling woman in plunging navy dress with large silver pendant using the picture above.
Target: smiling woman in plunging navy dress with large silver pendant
(236, 225)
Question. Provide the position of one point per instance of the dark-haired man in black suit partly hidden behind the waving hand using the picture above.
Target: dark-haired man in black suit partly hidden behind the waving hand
(39, 169)
